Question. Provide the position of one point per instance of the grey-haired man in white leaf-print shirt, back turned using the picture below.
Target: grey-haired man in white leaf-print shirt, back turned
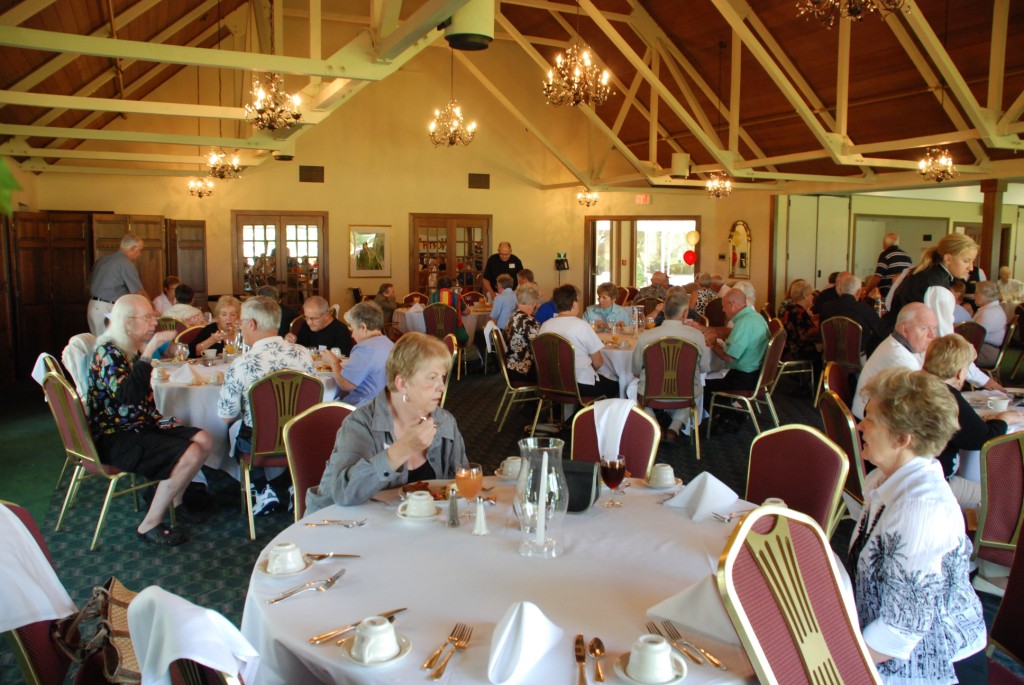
(268, 354)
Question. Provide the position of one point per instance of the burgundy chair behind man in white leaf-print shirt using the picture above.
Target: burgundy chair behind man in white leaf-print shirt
(274, 401)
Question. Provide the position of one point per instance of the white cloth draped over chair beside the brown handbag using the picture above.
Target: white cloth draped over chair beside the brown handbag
(165, 628)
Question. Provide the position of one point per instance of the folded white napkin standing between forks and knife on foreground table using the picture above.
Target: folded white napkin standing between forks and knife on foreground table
(522, 639)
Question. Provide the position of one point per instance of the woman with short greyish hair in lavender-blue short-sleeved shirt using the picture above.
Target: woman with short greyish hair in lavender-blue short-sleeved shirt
(362, 376)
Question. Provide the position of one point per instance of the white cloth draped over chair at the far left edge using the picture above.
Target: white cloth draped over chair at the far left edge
(30, 591)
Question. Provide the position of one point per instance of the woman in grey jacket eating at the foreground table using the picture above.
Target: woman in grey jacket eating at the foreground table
(403, 436)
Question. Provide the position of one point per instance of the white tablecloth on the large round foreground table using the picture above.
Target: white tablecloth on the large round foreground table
(618, 564)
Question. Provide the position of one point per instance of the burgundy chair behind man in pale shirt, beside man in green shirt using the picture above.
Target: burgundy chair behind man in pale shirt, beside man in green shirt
(670, 368)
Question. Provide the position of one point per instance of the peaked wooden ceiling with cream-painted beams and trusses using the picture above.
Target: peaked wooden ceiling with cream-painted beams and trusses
(776, 100)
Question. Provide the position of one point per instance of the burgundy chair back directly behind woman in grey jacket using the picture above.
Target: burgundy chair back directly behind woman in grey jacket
(310, 440)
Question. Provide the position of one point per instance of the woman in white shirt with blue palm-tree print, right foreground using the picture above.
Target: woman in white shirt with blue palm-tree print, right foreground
(910, 559)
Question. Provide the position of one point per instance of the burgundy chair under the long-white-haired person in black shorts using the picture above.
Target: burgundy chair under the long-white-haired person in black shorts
(74, 430)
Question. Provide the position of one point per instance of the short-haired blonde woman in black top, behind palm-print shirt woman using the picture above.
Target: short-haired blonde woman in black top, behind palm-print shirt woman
(949, 359)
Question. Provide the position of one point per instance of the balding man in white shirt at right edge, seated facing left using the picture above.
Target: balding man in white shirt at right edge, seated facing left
(917, 326)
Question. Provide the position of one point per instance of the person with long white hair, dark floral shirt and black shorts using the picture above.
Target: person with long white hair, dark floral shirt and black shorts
(124, 421)
